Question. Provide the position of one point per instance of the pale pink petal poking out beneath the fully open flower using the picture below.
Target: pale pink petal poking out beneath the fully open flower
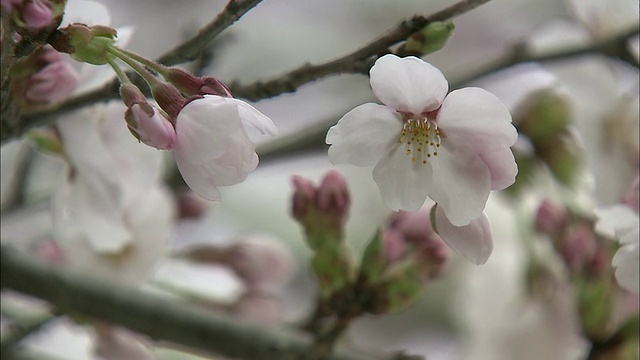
(473, 241)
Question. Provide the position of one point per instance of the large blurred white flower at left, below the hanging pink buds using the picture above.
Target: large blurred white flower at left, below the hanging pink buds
(111, 213)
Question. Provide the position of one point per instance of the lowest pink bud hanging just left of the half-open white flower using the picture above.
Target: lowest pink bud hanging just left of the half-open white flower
(150, 127)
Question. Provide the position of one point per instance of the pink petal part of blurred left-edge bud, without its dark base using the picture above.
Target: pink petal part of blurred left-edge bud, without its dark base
(55, 82)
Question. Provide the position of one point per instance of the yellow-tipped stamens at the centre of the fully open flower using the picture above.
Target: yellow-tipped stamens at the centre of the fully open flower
(421, 138)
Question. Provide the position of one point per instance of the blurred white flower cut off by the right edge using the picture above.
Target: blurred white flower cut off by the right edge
(622, 223)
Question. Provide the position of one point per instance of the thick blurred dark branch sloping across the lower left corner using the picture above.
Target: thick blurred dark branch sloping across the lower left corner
(157, 317)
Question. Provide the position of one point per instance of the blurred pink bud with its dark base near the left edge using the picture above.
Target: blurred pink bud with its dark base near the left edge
(42, 78)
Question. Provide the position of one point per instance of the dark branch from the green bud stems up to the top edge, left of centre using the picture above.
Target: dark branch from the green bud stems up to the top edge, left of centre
(190, 49)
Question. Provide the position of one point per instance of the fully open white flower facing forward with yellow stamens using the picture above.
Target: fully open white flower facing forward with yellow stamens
(453, 148)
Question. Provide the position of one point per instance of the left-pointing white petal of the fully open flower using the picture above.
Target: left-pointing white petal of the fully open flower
(364, 135)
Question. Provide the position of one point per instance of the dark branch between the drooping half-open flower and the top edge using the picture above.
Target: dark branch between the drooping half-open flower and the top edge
(359, 61)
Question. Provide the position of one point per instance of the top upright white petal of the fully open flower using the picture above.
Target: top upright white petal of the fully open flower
(408, 84)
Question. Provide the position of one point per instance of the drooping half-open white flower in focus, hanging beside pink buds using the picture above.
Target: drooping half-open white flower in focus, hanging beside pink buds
(212, 147)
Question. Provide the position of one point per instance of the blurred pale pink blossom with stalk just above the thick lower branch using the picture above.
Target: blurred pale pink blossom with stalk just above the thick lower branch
(263, 264)
